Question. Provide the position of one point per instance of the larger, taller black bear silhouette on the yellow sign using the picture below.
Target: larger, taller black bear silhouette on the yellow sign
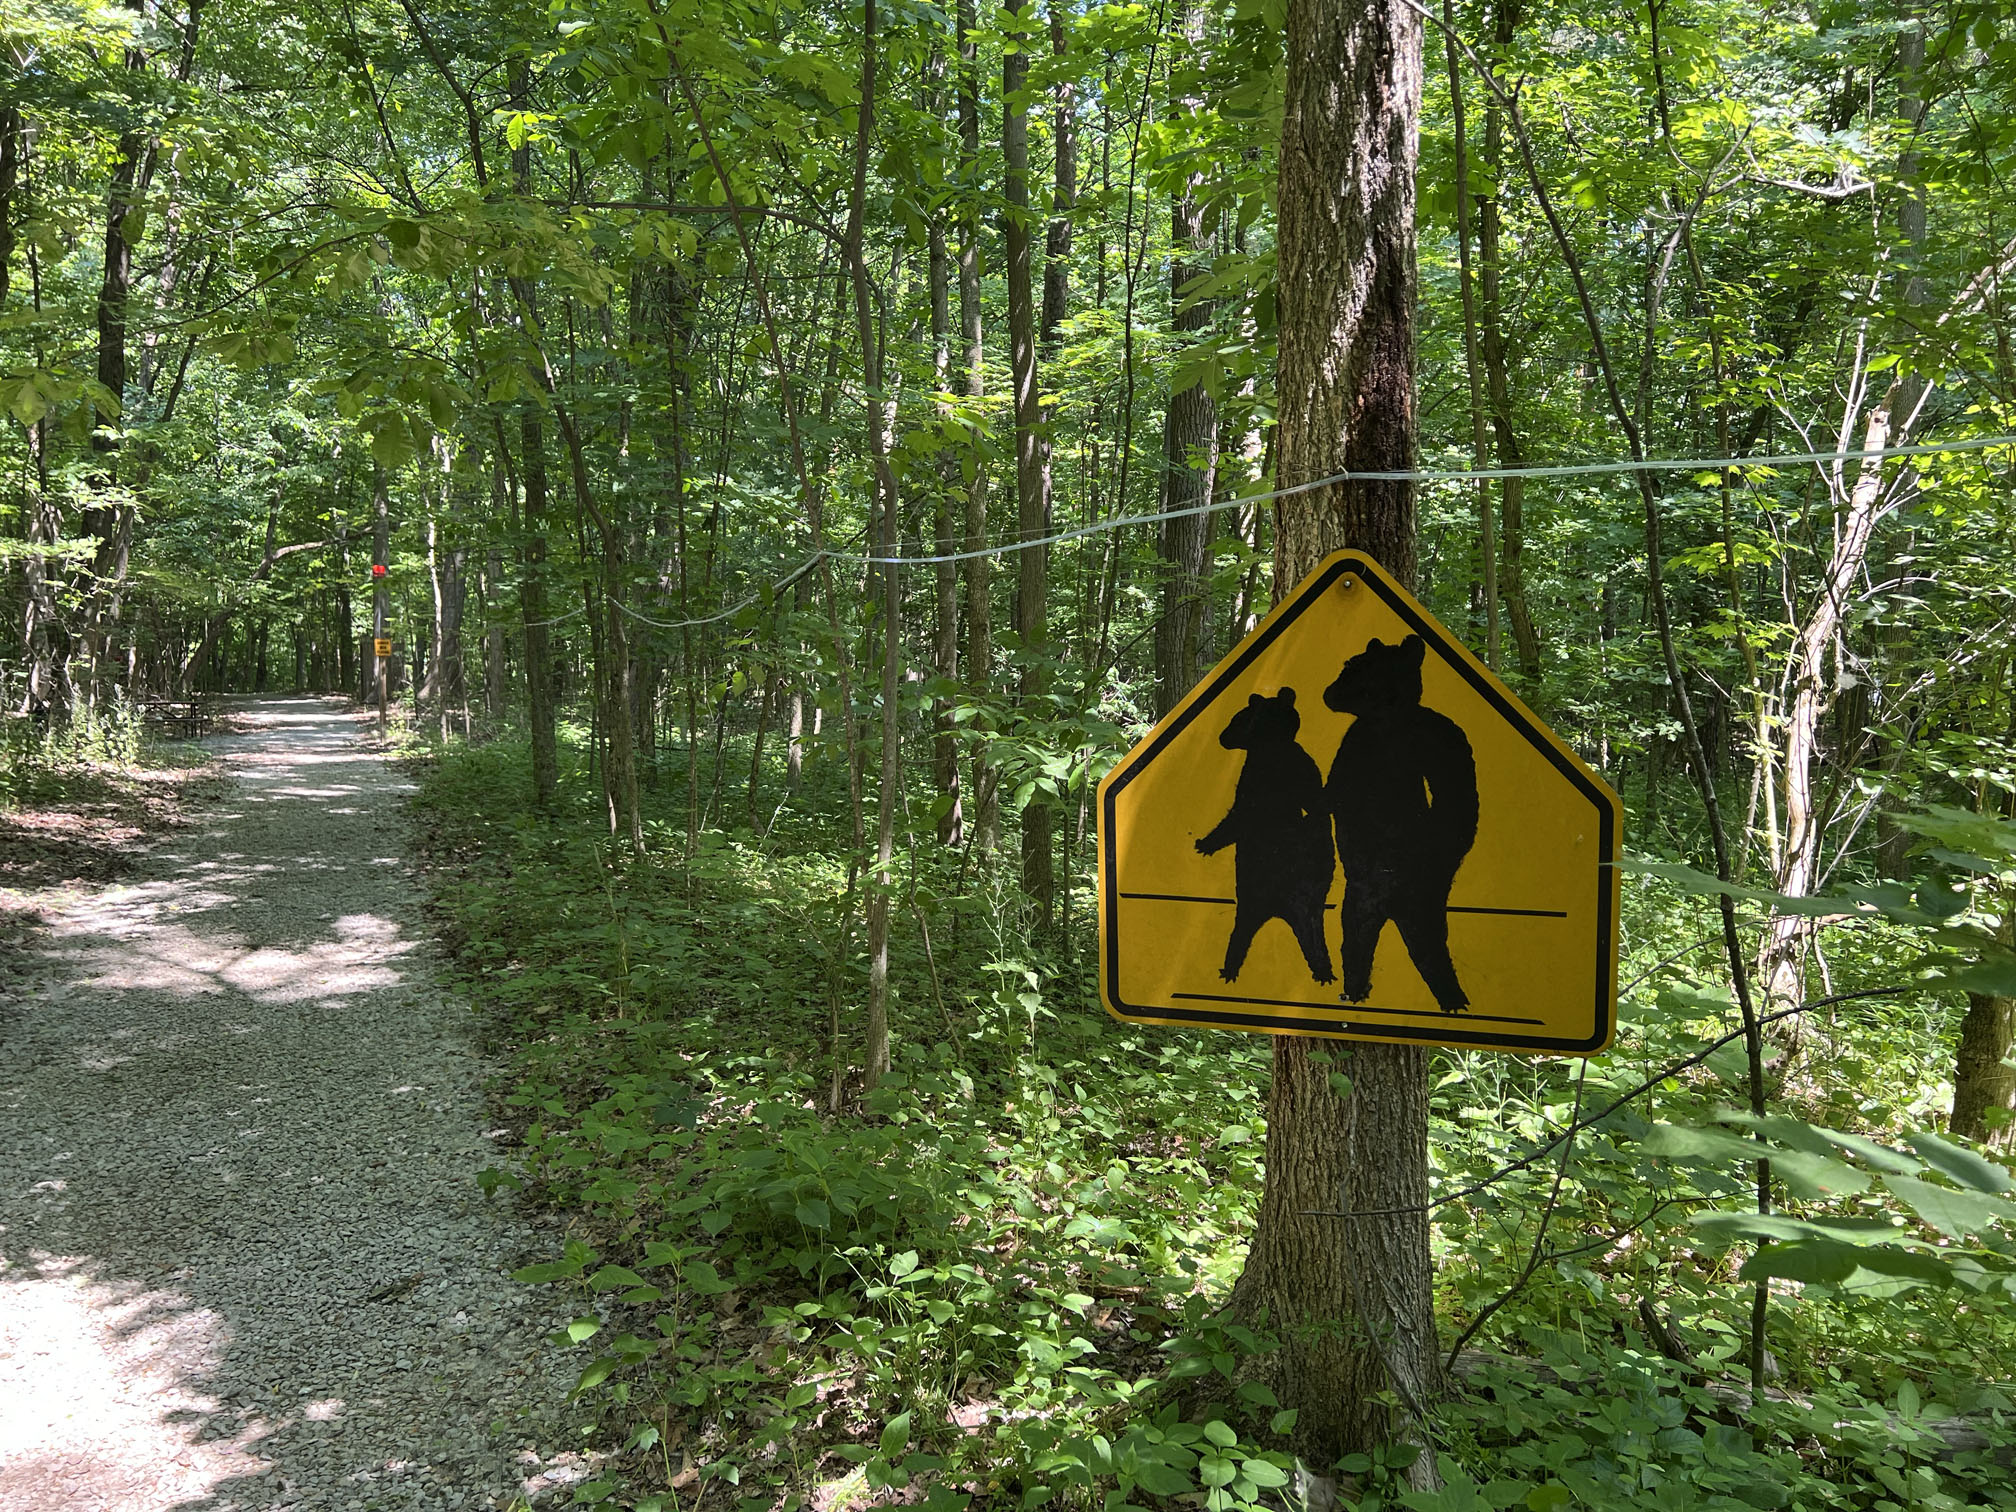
(1404, 797)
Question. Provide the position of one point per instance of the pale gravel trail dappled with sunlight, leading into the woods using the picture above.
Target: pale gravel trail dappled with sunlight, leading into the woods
(243, 1255)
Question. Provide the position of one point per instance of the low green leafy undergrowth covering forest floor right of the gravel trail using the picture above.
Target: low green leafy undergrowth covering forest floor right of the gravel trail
(999, 1279)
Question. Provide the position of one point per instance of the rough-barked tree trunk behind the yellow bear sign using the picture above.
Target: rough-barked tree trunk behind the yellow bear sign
(1352, 1297)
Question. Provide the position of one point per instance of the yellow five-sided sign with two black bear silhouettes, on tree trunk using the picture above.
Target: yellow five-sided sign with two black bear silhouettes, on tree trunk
(1354, 830)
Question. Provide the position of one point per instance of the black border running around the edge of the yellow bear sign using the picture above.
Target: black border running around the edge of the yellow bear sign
(1448, 1031)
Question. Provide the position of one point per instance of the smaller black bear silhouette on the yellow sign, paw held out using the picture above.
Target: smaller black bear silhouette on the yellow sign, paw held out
(1279, 824)
